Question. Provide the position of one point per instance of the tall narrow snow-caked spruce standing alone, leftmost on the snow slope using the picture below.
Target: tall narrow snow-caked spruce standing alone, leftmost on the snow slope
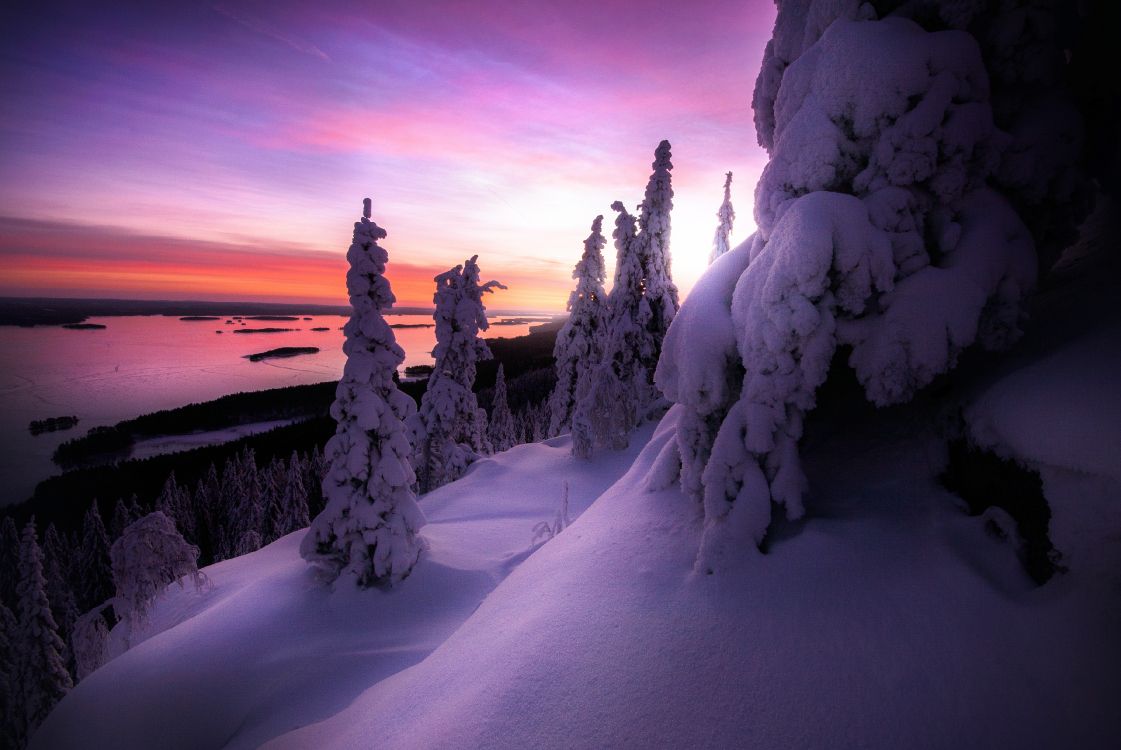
(368, 531)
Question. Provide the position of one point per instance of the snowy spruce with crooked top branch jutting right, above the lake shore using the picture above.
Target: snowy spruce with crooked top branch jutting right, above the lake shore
(450, 430)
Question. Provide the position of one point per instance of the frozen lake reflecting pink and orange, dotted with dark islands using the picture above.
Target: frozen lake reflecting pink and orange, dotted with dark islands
(137, 365)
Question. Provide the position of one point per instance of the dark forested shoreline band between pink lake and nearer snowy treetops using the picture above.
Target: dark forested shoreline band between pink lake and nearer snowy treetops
(97, 473)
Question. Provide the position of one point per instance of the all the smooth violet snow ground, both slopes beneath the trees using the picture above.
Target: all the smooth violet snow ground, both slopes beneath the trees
(886, 618)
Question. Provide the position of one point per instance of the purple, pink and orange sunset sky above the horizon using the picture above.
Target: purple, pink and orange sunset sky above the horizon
(221, 151)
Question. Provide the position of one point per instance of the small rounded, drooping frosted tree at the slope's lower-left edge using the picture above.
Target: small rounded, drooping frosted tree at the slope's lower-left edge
(150, 557)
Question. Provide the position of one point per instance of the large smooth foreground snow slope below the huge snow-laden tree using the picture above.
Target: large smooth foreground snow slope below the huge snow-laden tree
(887, 619)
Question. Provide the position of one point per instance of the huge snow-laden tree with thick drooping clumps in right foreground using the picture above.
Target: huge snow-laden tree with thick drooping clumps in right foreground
(883, 229)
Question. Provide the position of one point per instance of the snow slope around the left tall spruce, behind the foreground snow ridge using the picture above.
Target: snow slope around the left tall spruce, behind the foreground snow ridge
(268, 650)
